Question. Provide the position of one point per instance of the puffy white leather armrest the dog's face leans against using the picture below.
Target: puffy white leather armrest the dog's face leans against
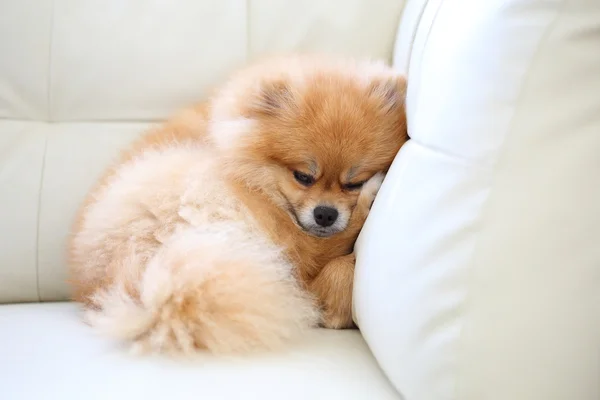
(478, 273)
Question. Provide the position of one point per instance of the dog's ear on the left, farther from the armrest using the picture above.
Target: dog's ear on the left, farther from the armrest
(271, 98)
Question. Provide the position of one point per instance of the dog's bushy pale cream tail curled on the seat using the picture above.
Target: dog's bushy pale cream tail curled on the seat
(219, 289)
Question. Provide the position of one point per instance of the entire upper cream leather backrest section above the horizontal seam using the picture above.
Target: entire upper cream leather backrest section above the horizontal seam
(114, 60)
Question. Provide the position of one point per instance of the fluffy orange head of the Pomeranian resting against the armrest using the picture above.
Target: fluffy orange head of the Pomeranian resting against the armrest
(310, 132)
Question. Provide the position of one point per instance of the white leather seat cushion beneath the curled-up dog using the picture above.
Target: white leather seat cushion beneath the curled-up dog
(47, 353)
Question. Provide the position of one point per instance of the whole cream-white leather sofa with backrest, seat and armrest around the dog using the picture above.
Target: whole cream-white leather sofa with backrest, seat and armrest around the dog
(478, 274)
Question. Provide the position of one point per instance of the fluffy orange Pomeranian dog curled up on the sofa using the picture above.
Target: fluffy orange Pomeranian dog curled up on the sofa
(231, 227)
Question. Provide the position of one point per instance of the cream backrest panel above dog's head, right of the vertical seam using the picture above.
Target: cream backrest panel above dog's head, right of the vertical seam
(354, 27)
